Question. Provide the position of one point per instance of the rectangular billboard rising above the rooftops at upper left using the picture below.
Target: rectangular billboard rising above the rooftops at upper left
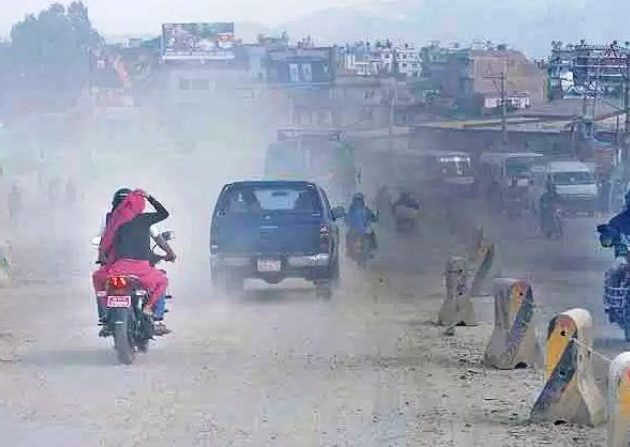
(198, 41)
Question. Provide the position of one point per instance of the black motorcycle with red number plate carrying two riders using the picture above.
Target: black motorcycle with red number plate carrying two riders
(124, 298)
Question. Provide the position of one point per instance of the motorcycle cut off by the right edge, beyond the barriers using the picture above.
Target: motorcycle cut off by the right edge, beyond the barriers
(617, 280)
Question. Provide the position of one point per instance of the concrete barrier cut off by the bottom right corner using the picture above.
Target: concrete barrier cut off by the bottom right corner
(619, 401)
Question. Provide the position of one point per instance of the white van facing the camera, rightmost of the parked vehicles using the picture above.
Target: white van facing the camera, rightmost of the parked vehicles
(574, 183)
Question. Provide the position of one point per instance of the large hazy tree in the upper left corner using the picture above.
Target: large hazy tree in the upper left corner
(50, 50)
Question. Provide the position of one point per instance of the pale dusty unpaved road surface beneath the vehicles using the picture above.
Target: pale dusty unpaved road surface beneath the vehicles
(279, 367)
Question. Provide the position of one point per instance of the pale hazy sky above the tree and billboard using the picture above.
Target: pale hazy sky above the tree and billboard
(145, 16)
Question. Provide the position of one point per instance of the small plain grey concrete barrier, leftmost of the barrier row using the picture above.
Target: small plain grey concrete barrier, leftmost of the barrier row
(457, 307)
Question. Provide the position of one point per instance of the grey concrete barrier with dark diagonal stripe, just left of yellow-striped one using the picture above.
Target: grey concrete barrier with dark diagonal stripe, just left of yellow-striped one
(513, 342)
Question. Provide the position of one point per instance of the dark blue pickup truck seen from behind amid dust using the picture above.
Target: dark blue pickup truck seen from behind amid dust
(273, 230)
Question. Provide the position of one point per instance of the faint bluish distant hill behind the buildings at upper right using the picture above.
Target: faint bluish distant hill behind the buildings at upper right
(526, 25)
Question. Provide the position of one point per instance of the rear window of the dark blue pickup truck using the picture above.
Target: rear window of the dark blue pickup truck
(261, 199)
